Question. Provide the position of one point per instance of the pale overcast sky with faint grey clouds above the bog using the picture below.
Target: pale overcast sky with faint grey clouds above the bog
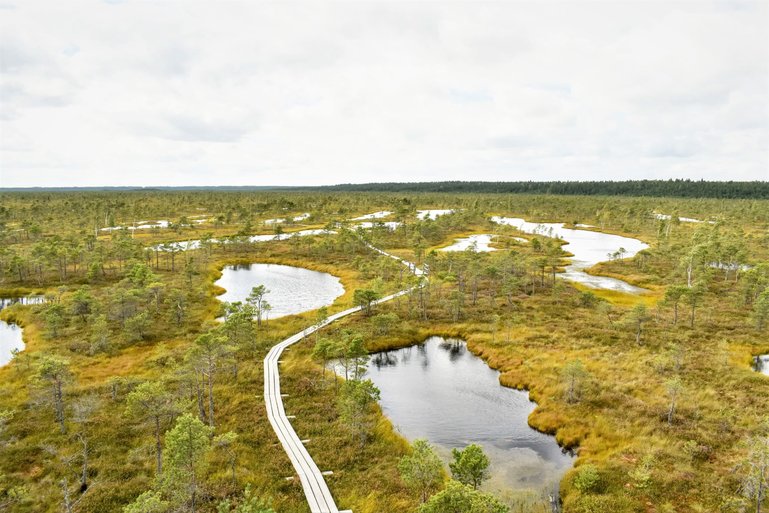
(228, 93)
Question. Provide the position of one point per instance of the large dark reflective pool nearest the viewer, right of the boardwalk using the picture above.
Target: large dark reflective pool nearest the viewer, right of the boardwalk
(440, 391)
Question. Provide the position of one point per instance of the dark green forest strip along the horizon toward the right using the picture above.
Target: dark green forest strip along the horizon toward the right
(652, 188)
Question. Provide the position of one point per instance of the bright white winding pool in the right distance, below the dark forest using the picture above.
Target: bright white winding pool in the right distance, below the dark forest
(588, 248)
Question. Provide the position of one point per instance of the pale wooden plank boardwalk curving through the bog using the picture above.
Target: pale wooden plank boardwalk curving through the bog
(314, 484)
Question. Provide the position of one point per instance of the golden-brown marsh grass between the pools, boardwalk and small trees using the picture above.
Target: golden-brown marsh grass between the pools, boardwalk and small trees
(618, 425)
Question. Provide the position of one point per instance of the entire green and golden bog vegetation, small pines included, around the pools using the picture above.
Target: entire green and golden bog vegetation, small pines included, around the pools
(131, 395)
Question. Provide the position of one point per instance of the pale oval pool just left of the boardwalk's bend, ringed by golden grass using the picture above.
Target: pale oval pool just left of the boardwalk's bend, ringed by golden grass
(292, 290)
